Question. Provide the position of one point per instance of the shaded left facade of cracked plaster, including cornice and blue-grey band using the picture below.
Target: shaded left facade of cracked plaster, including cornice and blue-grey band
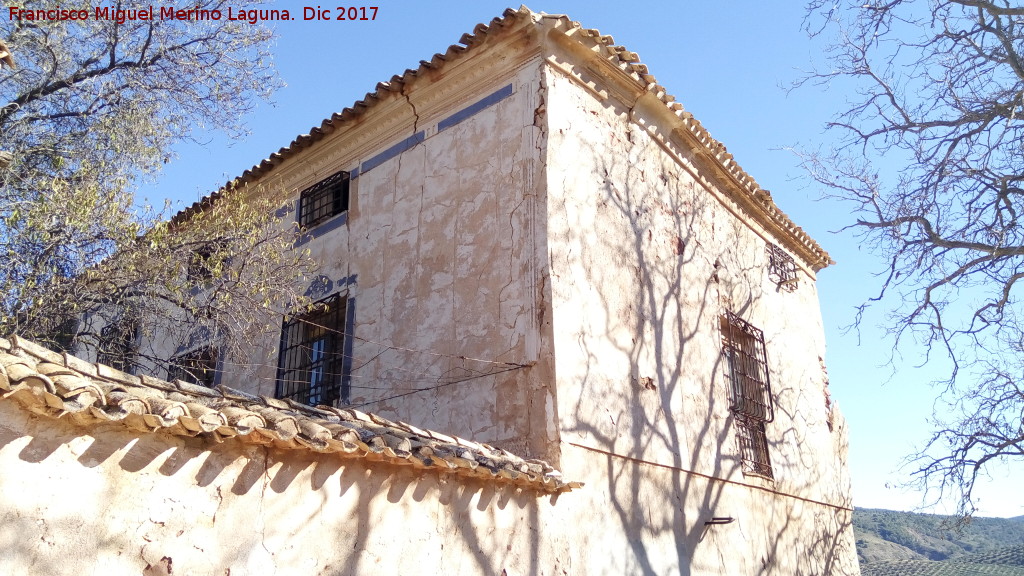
(440, 253)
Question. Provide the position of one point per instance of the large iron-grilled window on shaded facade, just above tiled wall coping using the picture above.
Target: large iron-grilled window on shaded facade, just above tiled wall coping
(312, 359)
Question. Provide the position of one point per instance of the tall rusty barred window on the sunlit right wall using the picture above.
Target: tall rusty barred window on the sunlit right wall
(744, 349)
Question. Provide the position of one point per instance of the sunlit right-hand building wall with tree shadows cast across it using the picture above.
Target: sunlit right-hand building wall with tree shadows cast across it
(648, 249)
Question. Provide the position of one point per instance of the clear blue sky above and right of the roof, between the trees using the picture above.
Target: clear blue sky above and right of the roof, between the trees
(729, 64)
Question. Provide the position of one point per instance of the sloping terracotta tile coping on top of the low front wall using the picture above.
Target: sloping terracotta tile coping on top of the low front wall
(61, 386)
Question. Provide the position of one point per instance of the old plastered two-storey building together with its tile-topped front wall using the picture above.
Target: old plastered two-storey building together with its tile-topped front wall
(527, 245)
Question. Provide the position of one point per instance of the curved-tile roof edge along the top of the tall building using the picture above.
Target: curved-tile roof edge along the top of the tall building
(628, 62)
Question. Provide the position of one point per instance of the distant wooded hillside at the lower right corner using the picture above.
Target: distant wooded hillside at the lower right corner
(888, 537)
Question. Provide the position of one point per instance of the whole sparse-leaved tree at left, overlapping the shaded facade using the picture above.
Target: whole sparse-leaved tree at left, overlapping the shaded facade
(91, 110)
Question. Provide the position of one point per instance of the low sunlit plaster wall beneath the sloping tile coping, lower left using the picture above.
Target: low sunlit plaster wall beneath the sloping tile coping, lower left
(105, 500)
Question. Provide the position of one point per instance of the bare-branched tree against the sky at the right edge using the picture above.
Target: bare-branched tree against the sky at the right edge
(940, 95)
